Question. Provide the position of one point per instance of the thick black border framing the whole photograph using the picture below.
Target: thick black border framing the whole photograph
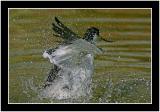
(80, 4)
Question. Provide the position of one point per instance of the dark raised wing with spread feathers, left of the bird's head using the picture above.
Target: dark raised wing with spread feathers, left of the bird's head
(64, 32)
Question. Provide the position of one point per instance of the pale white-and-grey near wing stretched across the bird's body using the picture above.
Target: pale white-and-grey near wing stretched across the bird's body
(71, 55)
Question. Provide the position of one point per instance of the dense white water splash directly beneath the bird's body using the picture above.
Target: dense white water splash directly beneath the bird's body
(70, 84)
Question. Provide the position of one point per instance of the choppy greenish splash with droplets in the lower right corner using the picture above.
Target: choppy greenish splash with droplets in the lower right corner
(126, 91)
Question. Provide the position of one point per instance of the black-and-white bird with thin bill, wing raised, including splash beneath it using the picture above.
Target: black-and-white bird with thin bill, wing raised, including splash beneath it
(73, 62)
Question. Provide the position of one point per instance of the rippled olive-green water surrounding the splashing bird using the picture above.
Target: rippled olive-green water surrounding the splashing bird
(122, 74)
